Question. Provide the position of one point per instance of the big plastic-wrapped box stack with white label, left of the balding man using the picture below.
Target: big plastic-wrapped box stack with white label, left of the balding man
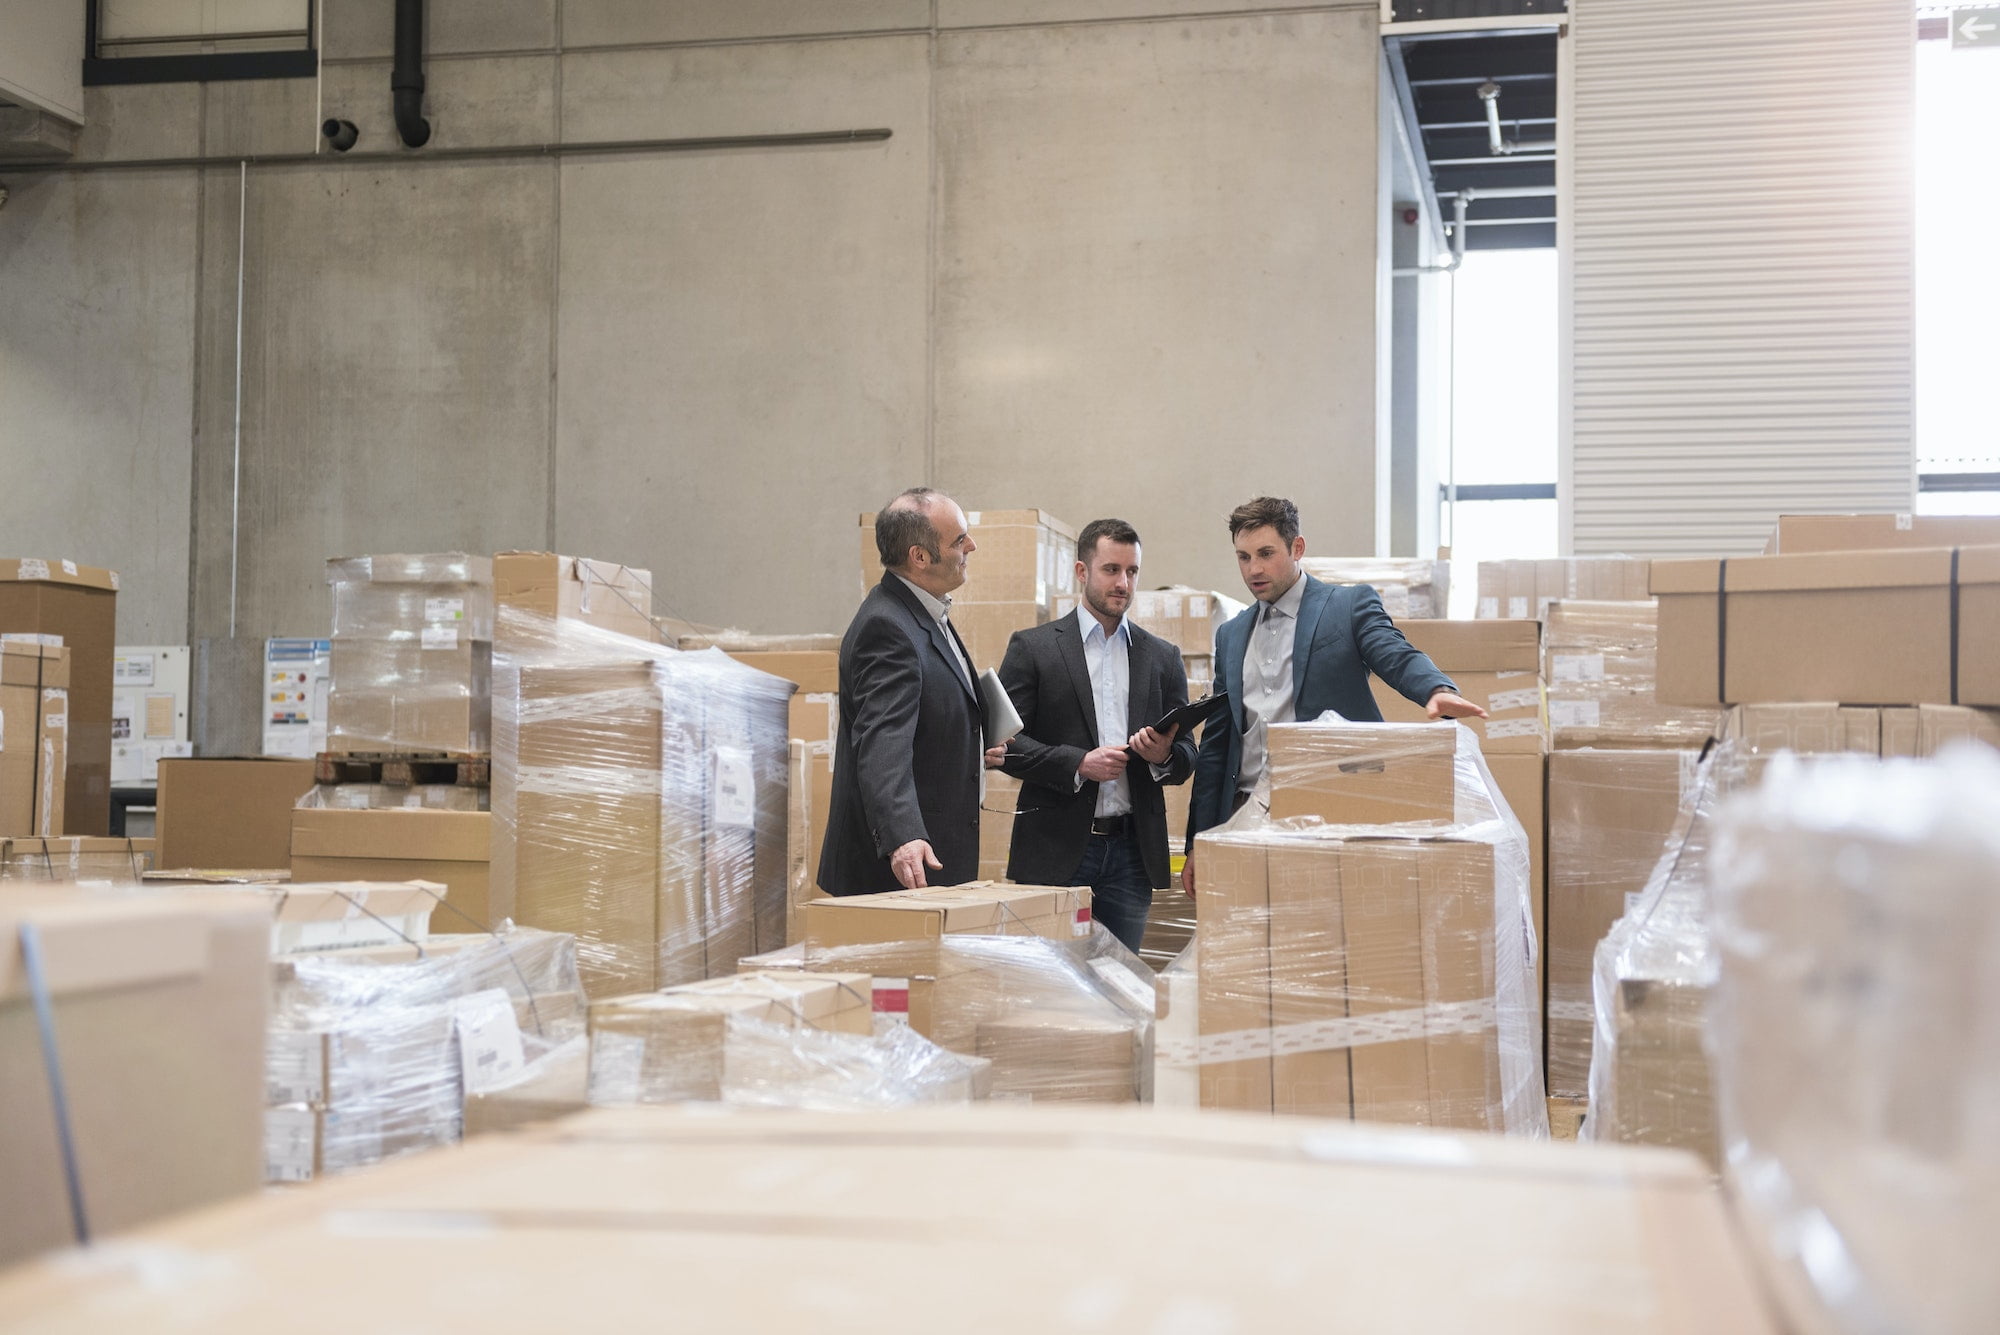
(641, 802)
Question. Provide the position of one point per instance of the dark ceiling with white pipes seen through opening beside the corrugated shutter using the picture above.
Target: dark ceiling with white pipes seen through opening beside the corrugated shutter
(1439, 83)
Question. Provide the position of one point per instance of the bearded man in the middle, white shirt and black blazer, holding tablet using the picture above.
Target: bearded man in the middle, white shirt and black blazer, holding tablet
(1089, 688)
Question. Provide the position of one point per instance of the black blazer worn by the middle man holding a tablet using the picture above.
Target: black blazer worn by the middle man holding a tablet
(1047, 676)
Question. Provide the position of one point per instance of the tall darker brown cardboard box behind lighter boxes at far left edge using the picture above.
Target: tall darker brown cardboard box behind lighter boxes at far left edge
(81, 607)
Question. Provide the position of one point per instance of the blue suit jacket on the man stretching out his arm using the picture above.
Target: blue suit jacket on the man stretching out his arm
(1343, 637)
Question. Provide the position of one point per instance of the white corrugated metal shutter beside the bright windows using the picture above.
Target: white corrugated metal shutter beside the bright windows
(1741, 269)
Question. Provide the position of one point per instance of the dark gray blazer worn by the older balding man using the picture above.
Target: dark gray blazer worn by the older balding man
(907, 758)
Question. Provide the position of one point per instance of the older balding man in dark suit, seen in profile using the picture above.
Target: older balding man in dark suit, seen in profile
(905, 808)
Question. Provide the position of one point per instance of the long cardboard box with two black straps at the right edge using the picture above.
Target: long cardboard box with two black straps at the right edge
(1867, 629)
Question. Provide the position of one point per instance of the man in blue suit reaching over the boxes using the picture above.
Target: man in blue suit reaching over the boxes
(1297, 653)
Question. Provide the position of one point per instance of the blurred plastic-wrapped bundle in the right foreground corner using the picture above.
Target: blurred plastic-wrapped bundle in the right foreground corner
(1857, 1036)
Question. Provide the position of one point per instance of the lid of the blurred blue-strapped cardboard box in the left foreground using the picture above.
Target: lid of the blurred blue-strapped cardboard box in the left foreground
(103, 942)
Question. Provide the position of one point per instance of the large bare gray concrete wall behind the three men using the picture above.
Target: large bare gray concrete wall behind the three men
(1117, 257)
